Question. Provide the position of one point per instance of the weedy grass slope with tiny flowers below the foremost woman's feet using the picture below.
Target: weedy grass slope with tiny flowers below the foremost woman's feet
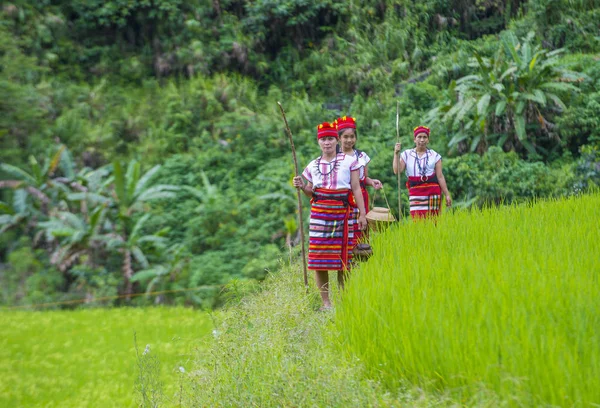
(274, 349)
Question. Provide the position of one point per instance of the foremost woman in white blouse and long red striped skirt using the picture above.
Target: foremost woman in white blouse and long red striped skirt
(332, 182)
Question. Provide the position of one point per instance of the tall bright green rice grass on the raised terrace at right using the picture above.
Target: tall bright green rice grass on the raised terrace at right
(487, 306)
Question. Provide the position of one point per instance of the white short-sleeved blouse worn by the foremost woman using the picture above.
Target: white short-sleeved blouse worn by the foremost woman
(333, 175)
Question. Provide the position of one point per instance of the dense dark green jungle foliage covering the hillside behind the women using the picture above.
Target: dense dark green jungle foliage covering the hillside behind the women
(142, 148)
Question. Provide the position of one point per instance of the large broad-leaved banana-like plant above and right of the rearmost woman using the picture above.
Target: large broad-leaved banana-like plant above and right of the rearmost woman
(510, 99)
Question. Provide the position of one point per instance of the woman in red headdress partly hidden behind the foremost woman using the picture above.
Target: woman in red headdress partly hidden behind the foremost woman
(346, 127)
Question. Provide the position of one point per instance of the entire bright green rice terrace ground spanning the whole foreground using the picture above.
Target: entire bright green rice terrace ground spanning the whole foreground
(502, 310)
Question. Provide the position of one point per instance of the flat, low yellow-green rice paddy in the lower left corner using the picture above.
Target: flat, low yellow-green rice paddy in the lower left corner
(87, 358)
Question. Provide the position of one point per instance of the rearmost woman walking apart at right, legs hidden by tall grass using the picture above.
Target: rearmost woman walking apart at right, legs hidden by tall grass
(426, 181)
